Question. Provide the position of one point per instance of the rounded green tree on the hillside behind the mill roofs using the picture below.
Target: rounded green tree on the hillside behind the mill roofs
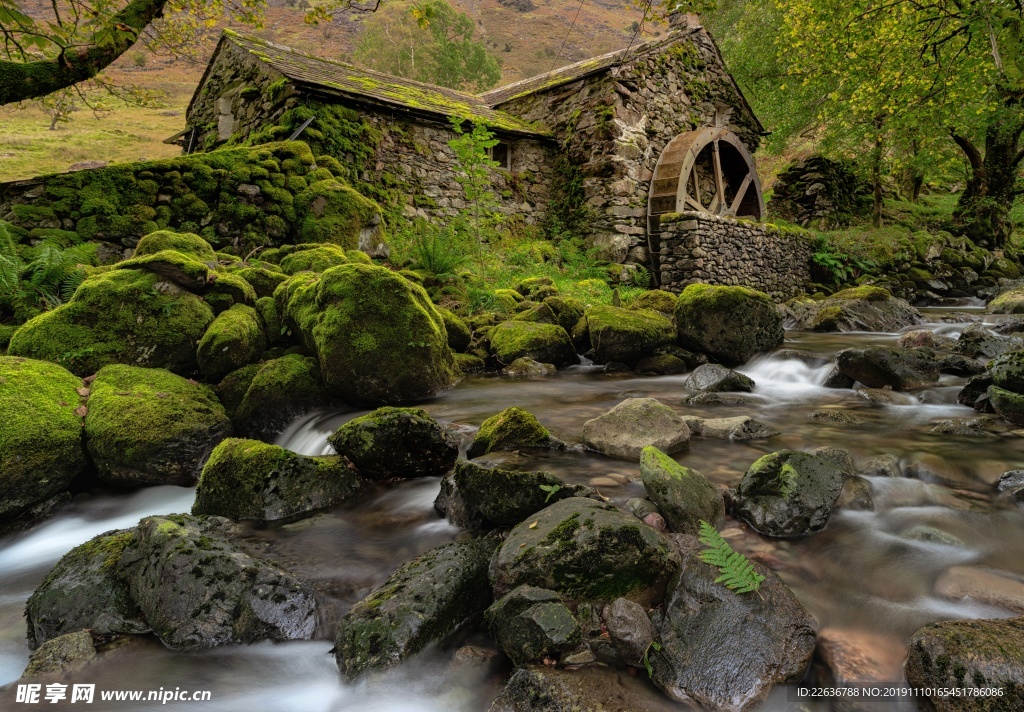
(432, 44)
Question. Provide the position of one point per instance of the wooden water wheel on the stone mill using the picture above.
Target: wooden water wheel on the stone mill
(707, 172)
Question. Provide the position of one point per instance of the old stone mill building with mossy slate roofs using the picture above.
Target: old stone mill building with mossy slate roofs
(607, 146)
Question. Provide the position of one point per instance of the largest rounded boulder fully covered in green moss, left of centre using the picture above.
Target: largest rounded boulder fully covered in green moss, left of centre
(377, 337)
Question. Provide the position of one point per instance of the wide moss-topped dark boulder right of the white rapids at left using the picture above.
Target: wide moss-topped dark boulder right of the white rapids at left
(250, 480)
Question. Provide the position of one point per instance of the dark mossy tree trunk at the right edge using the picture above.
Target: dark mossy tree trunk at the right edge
(984, 210)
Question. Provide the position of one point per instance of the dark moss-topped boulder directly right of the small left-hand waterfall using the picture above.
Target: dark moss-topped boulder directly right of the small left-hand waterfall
(397, 444)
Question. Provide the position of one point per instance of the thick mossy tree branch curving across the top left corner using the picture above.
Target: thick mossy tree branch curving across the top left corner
(28, 80)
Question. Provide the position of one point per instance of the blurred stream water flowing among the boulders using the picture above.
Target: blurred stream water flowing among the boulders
(871, 577)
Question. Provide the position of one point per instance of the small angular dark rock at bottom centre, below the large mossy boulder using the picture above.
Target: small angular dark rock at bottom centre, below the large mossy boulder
(531, 624)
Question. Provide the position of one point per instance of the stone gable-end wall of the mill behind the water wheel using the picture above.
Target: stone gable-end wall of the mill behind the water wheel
(616, 124)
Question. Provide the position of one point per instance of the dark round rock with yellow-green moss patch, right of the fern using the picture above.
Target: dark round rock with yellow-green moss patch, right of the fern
(789, 494)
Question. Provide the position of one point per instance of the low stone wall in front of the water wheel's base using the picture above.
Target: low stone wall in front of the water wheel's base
(722, 252)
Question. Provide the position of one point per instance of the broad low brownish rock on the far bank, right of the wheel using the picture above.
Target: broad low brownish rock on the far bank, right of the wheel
(860, 309)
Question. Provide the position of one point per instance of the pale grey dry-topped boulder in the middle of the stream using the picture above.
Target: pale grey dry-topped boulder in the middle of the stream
(634, 425)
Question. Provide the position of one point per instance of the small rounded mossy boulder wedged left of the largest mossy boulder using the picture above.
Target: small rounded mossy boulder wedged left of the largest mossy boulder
(235, 339)
